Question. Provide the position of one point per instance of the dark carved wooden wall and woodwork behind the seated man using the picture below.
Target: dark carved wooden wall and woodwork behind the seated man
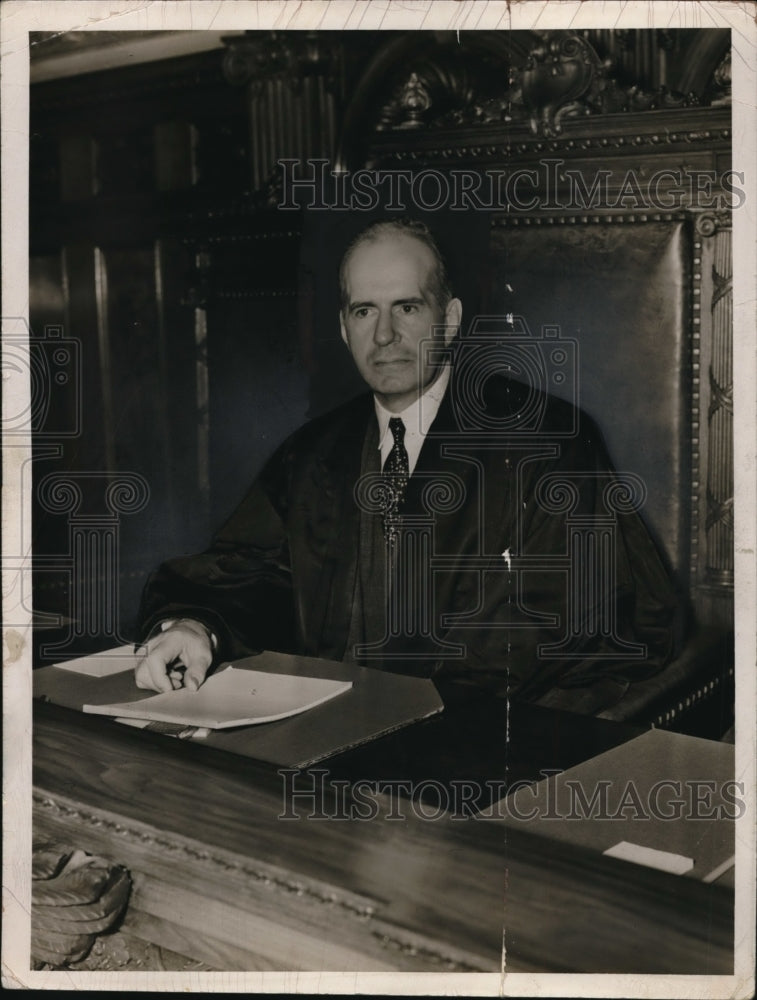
(206, 323)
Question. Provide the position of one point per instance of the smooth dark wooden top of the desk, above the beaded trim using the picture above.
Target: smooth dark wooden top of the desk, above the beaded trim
(431, 871)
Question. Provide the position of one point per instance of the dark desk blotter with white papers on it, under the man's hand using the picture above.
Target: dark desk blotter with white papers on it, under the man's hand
(277, 688)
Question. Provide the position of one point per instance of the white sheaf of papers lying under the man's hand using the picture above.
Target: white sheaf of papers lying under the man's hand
(230, 698)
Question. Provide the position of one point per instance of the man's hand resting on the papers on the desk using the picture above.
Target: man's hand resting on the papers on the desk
(184, 647)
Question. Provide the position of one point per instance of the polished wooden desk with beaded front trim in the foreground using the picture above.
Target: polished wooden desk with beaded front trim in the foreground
(220, 878)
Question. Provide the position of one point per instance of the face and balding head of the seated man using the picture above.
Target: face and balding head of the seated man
(389, 311)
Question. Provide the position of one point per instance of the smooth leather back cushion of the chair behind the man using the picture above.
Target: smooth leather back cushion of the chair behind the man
(620, 290)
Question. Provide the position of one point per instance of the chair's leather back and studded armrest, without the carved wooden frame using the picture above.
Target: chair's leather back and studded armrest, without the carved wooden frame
(621, 291)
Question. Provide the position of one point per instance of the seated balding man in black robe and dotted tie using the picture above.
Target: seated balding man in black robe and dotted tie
(398, 533)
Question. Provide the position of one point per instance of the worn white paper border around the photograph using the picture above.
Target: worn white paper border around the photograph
(17, 19)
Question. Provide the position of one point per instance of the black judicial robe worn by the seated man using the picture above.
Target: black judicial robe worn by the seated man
(283, 571)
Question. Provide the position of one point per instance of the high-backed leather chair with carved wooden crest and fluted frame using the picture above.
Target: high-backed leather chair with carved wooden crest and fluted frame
(644, 289)
